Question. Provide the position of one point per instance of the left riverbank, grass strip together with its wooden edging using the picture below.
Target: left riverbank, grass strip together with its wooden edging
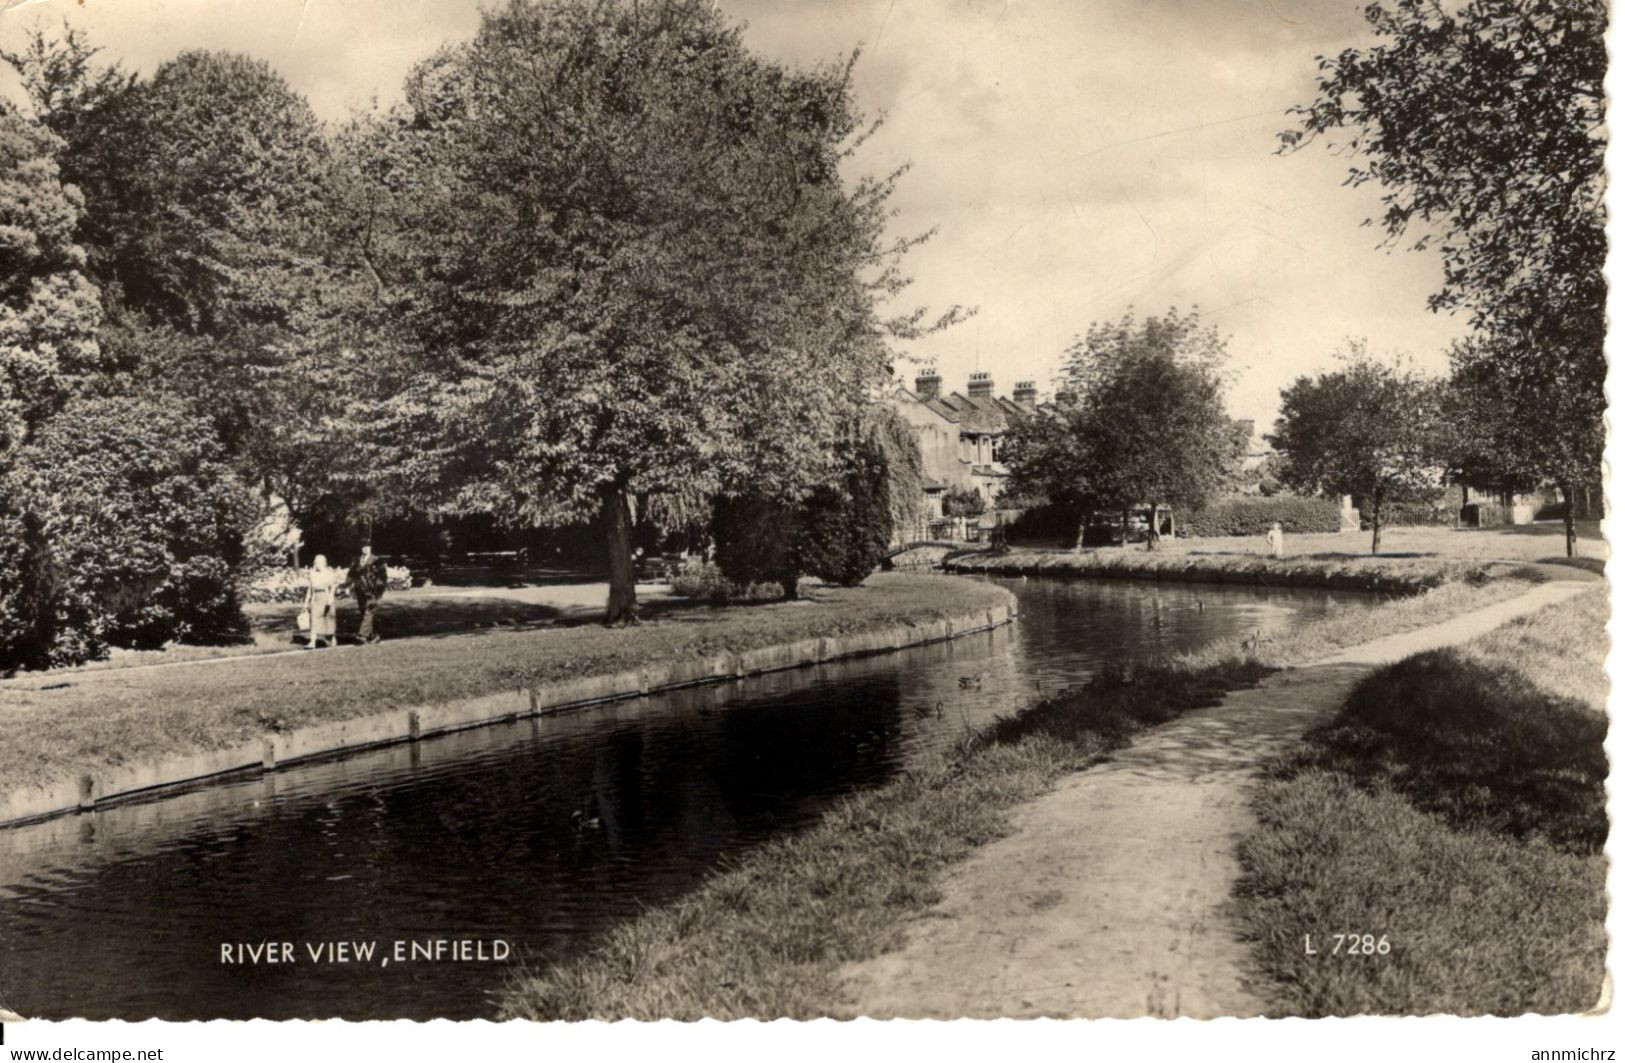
(80, 740)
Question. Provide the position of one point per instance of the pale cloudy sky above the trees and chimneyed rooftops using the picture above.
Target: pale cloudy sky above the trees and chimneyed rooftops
(1075, 158)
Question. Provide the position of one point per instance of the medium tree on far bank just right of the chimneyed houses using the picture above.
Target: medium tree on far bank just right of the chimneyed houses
(1138, 422)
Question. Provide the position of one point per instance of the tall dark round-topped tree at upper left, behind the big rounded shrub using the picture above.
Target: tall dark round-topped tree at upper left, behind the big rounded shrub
(207, 222)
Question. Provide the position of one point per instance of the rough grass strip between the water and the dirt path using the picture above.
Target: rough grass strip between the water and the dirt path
(769, 935)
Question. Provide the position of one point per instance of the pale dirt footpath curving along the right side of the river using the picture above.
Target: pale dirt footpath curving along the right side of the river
(1112, 895)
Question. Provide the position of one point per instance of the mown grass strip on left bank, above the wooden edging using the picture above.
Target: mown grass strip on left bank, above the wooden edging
(54, 727)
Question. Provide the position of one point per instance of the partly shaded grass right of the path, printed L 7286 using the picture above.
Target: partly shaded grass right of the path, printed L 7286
(1455, 805)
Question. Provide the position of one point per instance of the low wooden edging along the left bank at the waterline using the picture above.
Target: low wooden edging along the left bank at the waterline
(397, 726)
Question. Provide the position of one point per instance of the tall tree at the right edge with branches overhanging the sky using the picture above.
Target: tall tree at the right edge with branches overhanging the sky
(1484, 128)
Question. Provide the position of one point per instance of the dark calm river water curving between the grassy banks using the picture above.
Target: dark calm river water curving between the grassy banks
(542, 833)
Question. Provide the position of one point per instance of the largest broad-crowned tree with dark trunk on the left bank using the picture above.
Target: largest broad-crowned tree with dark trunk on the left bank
(625, 266)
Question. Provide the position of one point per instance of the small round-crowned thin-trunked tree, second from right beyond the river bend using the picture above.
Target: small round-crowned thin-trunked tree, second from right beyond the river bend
(1371, 430)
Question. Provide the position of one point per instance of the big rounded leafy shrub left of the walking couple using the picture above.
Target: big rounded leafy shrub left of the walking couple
(144, 523)
